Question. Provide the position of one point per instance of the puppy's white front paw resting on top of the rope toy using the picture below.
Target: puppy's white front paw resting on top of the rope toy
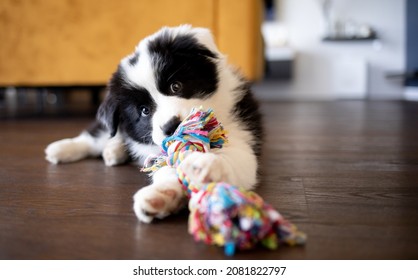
(203, 168)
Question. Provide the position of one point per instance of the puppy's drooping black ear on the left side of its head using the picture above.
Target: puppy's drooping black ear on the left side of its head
(108, 113)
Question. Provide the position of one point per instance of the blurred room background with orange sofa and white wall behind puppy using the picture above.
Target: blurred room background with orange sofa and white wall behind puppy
(57, 56)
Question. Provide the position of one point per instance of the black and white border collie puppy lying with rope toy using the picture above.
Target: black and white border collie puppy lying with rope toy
(152, 90)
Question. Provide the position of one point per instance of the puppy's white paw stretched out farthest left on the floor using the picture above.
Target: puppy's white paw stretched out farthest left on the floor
(66, 150)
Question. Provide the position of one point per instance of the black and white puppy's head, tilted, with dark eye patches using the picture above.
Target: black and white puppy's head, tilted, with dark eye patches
(154, 88)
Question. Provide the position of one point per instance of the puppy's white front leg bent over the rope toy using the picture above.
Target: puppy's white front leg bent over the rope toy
(235, 164)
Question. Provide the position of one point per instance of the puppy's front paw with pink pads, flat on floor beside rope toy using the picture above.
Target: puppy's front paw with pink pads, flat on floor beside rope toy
(158, 201)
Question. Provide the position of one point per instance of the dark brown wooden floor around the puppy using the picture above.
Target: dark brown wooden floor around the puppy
(345, 172)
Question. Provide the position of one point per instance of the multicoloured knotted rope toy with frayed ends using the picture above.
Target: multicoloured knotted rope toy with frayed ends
(220, 213)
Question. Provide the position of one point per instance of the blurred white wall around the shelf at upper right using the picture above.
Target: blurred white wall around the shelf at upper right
(315, 65)
